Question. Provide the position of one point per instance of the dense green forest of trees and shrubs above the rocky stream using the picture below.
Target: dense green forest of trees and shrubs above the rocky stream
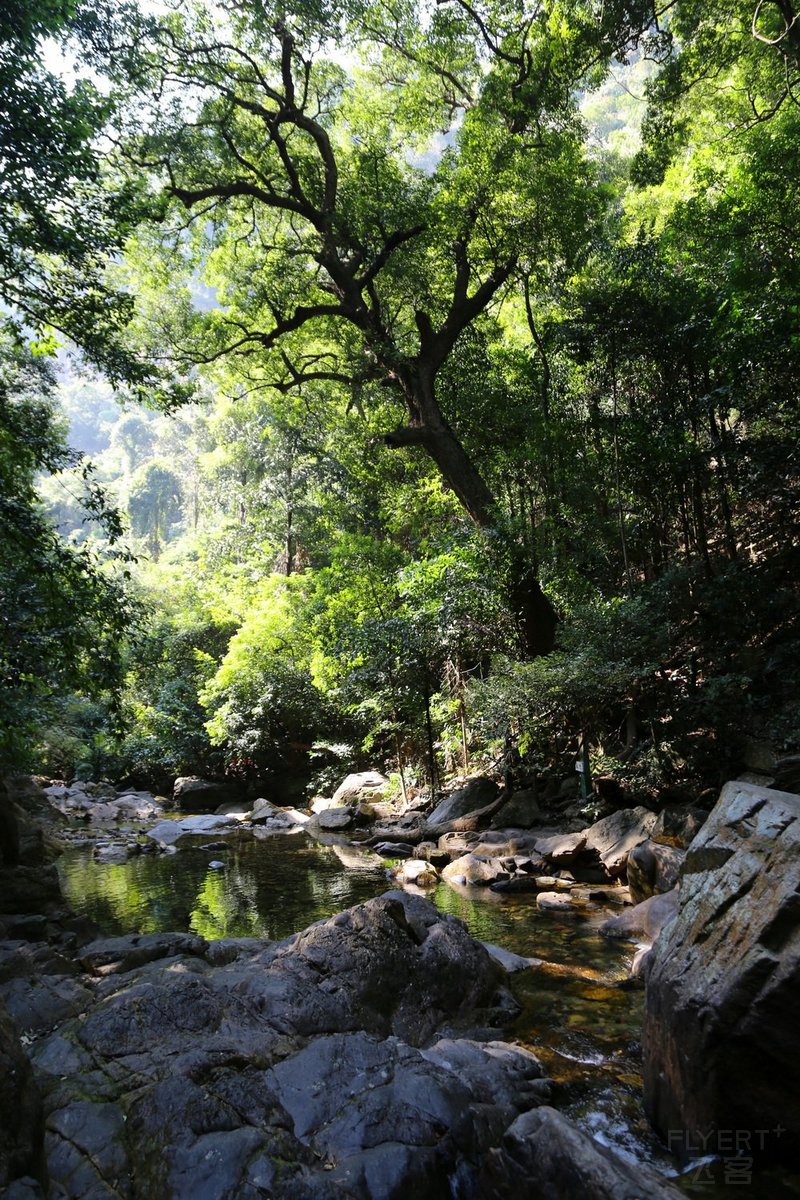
(470, 343)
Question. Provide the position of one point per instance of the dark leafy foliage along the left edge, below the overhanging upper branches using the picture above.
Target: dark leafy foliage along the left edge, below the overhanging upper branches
(64, 610)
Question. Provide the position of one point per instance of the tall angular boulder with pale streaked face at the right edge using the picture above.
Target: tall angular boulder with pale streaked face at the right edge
(721, 1034)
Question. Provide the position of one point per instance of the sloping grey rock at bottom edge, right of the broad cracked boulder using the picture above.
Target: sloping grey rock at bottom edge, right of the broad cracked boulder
(556, 1161)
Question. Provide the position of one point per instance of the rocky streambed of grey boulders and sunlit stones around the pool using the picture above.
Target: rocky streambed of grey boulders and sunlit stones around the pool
(362, 1058)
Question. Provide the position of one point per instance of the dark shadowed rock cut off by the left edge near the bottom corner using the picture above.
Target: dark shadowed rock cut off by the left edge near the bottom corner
(22, 1126)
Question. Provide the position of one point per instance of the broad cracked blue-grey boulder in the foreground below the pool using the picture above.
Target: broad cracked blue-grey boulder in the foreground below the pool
(336, 1065)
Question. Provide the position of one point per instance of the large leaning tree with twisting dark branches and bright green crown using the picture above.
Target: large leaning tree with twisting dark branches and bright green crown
(363, 184)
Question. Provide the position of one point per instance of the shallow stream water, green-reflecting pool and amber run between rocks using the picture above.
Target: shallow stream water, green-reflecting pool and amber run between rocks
(579, 1011)
